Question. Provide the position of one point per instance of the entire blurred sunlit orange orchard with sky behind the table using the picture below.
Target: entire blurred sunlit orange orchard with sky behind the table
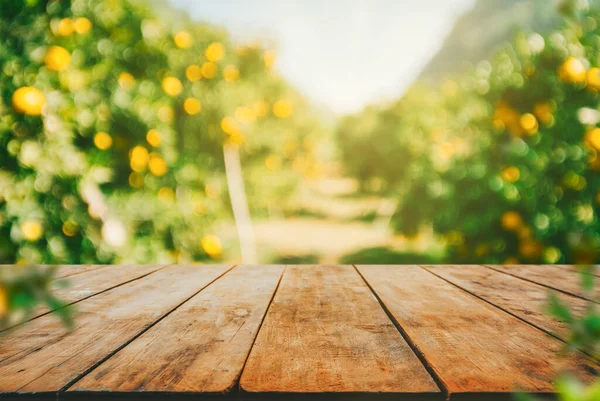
(381, 131)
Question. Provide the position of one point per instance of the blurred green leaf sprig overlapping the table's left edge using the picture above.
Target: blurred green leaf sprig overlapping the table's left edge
(25, 288)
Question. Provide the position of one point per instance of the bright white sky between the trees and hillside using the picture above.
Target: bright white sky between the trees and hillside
(341, 54)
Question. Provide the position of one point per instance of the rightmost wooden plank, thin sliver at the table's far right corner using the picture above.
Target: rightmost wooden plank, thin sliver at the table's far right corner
(554, 277)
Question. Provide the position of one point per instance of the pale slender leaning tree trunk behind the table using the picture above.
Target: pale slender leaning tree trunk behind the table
(239, 203)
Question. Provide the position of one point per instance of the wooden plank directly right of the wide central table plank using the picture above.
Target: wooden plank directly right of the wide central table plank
(474, 347)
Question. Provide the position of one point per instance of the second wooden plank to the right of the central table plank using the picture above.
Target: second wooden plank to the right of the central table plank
(524, 299)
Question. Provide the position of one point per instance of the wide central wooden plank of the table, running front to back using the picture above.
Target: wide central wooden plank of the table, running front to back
(326, 332)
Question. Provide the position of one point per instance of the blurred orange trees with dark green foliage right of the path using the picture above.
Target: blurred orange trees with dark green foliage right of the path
(501, 161)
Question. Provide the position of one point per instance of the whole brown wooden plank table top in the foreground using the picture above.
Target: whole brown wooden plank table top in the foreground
(321, 332)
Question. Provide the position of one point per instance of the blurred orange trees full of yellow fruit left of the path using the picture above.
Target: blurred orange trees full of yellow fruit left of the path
(113, 119)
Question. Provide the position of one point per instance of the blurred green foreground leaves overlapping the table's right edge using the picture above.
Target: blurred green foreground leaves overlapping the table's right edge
(584, 335)
